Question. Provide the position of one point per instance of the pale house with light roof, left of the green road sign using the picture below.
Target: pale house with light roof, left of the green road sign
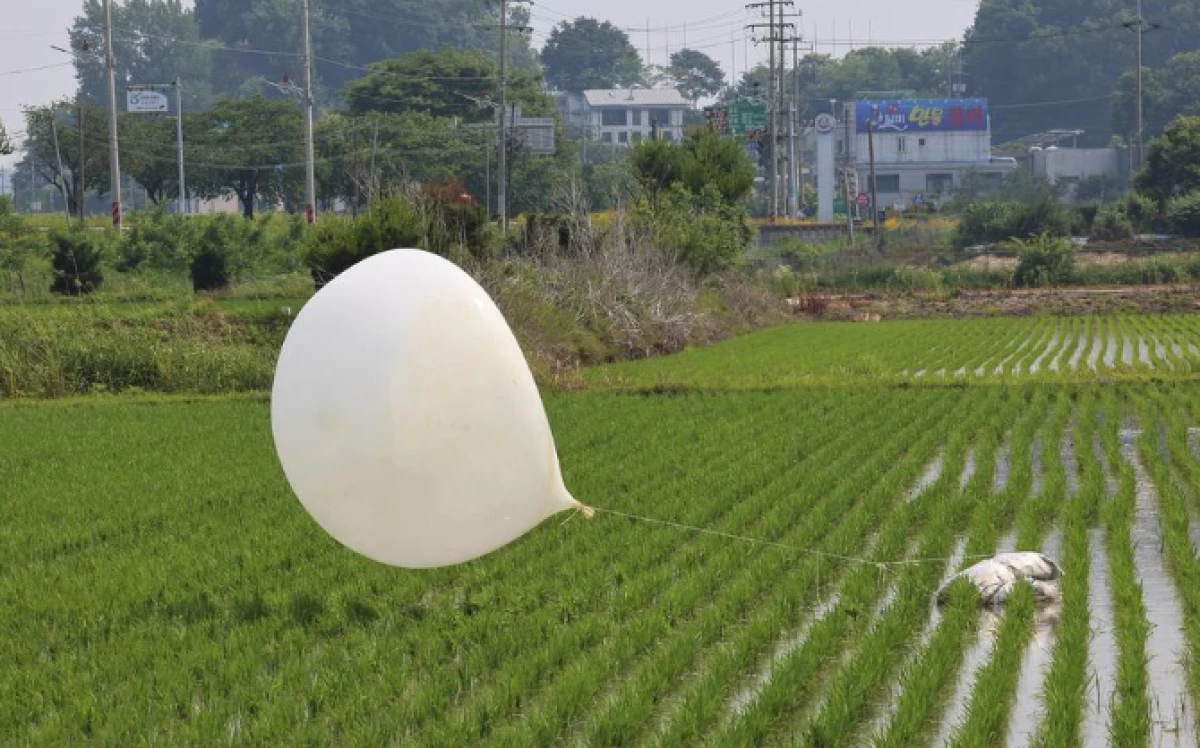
(623, 116)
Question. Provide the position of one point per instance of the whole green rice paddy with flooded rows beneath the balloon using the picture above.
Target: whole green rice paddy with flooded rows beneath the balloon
(812, 489)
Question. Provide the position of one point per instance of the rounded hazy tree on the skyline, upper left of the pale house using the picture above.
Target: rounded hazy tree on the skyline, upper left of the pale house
(589, 55)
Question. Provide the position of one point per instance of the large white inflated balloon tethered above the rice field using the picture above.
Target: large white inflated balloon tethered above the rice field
(407, 420)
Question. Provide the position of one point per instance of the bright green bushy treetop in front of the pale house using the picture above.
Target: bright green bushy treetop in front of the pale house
(704, 160)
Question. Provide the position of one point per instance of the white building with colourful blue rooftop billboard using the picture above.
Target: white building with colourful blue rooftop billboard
(922, 147)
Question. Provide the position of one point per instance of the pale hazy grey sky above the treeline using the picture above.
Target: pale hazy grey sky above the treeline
(717, 27)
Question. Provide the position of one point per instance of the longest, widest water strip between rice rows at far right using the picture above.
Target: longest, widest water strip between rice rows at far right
(1174, 720)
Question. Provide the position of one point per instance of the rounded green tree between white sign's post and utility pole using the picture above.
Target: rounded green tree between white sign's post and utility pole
(253, 148)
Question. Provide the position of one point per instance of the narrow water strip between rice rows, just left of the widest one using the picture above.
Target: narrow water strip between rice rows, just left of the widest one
(1102, 649)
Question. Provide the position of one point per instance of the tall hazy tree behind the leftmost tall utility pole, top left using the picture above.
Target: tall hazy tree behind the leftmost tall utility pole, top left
(157, 41)
